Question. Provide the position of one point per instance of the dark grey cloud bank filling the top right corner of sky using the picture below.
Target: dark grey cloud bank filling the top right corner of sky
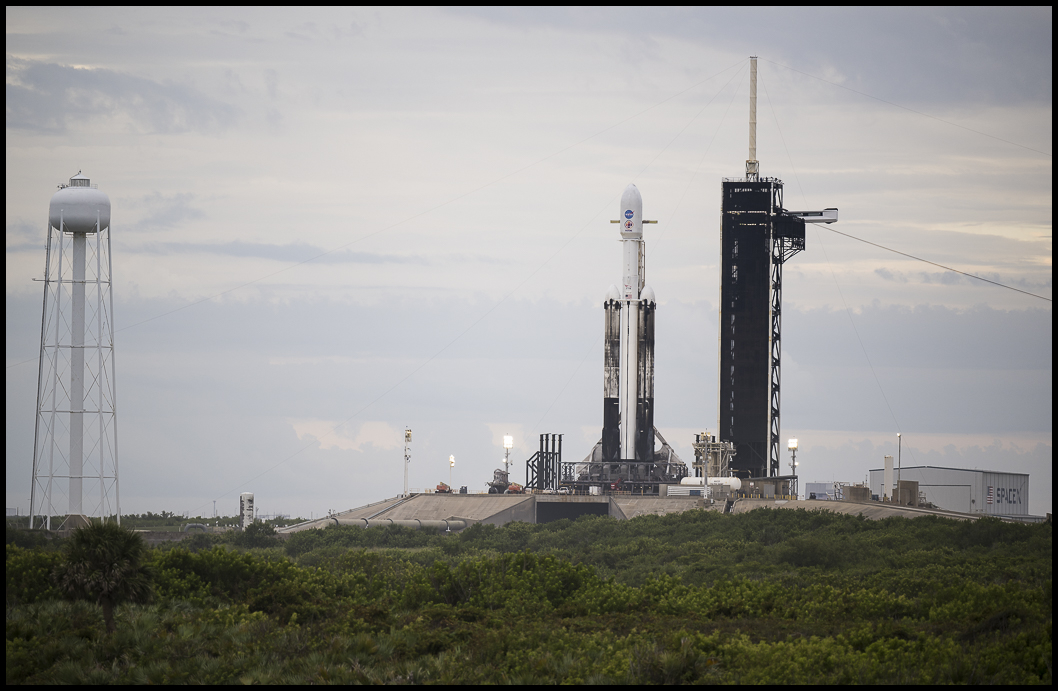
(921, 56)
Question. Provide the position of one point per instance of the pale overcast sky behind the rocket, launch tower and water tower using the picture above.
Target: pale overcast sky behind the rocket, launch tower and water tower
(379, 219)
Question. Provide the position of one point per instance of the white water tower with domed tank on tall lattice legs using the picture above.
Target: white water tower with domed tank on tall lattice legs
(76, 437)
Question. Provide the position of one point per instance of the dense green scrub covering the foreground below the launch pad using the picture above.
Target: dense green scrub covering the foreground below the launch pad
(768, 597)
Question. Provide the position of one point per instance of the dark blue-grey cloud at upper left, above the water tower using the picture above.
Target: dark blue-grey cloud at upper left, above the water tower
(49, 99)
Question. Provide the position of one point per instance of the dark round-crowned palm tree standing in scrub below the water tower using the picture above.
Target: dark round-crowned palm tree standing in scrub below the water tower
(103, 565)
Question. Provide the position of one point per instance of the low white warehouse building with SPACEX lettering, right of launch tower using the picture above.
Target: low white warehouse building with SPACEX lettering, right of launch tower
(966, 492)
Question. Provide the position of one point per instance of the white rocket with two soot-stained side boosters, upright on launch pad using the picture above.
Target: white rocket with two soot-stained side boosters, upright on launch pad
(628, 432)
